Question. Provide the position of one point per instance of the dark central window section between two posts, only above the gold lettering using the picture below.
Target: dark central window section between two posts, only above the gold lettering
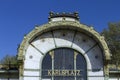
(64, 59)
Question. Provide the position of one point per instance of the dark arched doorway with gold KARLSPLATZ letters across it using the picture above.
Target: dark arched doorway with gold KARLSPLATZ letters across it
(64, 64)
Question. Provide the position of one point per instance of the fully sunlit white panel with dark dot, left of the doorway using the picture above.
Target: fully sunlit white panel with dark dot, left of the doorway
(32, 58)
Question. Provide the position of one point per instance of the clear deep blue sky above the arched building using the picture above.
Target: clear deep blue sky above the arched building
(19, 17)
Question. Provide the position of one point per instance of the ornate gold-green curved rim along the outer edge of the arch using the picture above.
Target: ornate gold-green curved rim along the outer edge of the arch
(60, 25)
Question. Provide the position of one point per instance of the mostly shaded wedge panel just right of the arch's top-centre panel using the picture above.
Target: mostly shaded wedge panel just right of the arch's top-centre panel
(83, 42)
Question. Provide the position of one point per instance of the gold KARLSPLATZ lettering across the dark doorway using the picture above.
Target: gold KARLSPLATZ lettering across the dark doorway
(63, 73)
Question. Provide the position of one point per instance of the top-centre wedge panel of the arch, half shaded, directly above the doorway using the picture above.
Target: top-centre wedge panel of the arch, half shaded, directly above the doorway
(63, 38)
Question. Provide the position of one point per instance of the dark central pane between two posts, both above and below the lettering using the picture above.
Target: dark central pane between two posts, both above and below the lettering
(64, 60)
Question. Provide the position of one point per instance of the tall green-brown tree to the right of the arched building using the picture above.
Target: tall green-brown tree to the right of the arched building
(112, 36)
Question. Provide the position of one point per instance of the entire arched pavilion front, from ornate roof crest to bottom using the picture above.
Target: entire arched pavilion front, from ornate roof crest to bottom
(61, 32)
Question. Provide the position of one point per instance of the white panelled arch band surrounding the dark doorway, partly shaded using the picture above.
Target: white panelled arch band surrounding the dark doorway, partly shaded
(78, 41)
